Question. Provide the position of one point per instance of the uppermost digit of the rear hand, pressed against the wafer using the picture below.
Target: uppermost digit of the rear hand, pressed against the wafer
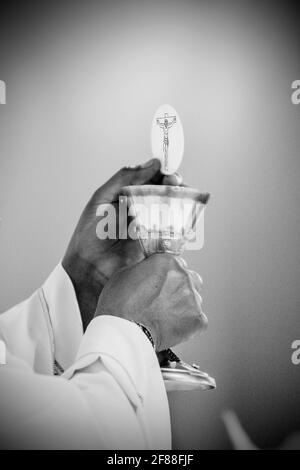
(127, 176)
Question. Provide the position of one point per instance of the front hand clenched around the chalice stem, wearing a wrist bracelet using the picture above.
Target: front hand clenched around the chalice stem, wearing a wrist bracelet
(159, 292)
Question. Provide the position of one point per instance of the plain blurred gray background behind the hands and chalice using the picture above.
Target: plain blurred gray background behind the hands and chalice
(83, 81)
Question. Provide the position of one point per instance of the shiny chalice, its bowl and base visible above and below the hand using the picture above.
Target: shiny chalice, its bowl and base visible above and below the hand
(165, 220)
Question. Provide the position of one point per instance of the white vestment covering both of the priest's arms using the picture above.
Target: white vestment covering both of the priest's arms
(111, 394)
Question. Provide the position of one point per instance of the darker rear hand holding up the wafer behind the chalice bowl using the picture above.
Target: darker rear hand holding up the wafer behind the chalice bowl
(89, 261)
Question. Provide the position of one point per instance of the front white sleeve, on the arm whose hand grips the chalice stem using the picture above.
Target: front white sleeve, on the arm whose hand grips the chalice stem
(112, 397)
